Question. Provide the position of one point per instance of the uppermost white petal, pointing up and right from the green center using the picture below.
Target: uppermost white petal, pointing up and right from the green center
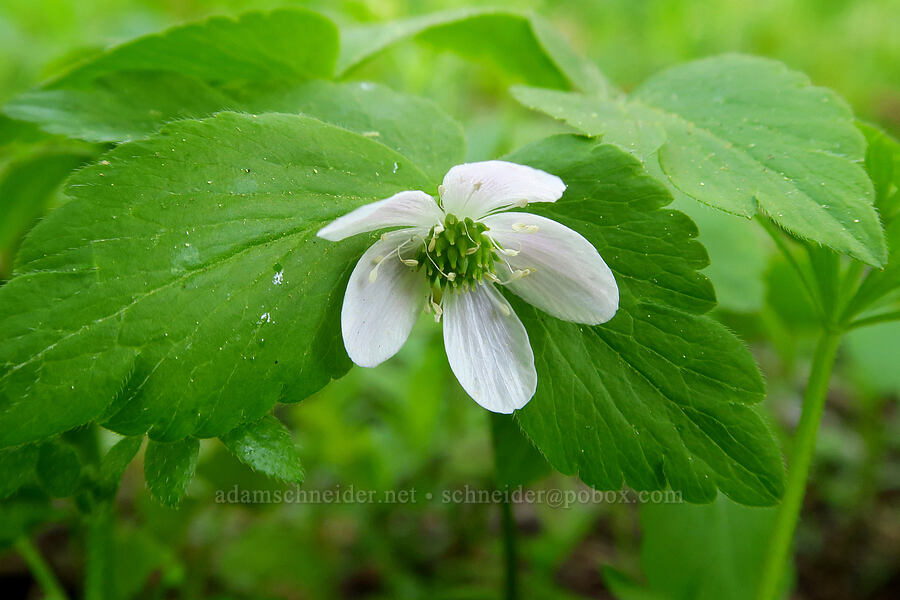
(476, 189)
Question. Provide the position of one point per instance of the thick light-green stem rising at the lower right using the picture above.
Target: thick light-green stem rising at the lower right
(801, 459)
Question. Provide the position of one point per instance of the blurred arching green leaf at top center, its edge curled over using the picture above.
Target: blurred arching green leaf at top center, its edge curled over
(522, 45)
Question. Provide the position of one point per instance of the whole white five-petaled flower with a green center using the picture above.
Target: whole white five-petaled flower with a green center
(448, 258)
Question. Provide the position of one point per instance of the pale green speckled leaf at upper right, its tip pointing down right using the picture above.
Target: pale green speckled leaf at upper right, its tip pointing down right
(745, 135)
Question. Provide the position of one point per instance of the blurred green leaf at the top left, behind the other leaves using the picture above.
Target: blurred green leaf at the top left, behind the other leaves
(284, 44)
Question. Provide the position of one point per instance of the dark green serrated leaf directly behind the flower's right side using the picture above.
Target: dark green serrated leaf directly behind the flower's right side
(661, 394)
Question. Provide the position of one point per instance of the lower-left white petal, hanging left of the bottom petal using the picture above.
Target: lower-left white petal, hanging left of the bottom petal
(378, 315)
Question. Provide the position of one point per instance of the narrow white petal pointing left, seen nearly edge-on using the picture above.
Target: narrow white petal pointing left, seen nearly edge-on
(406, 209)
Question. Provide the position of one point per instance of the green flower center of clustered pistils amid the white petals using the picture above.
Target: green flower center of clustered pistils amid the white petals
(457, 254)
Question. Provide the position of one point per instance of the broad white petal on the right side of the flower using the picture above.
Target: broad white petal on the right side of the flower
(570, 281)
